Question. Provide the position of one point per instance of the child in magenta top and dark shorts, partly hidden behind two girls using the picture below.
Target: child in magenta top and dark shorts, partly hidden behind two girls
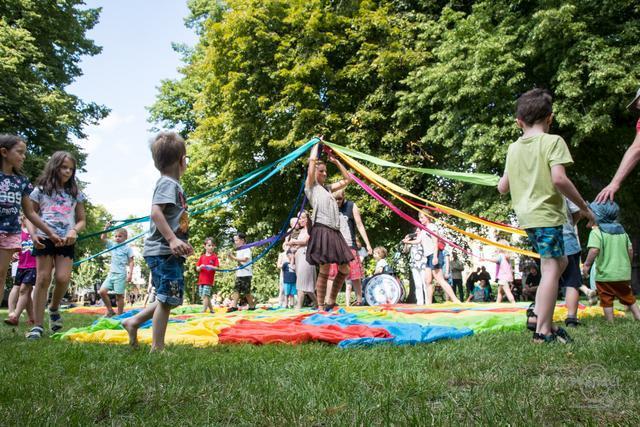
(25, 279)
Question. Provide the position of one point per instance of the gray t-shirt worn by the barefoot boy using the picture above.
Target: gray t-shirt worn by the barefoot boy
(168, 192)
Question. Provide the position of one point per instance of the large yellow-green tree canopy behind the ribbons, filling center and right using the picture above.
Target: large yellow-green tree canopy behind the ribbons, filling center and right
(423, 83)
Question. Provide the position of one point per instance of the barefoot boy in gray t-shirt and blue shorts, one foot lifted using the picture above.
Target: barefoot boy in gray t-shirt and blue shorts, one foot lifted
(166, 246)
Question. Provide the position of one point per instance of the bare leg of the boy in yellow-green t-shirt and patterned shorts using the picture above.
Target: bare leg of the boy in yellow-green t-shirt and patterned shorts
(551, 269)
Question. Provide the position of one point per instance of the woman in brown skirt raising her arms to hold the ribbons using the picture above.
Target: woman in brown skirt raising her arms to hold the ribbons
(326, 245)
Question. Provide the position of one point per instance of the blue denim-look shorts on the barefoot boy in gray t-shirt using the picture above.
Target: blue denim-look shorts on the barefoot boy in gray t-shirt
(167, 274)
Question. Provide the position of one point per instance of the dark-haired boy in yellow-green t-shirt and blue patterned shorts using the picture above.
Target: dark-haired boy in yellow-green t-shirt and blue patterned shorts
(535, 176)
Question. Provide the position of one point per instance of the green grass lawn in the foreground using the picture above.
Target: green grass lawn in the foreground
(495, 378)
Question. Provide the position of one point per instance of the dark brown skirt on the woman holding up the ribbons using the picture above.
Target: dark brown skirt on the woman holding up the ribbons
(327, 246)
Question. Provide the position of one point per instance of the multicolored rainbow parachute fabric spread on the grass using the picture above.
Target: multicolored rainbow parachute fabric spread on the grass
(346, 327)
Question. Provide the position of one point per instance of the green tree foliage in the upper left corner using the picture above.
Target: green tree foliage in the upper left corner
(41, 43)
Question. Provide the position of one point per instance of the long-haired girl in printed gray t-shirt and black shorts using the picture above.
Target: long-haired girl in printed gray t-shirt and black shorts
(61, 205)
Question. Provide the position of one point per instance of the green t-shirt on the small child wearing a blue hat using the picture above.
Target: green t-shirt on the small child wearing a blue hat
(612, 263)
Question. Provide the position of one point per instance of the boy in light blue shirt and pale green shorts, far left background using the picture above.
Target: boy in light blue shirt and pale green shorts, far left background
(118, 277)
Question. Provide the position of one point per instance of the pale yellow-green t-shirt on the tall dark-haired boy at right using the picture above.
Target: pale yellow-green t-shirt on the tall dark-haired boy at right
(534, 198)
